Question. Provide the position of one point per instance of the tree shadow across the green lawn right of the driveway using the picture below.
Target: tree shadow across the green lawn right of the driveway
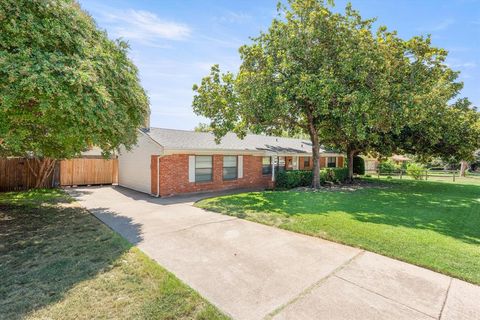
(452, 210)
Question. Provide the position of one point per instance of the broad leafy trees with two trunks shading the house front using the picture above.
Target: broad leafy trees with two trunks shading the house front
(331, 76)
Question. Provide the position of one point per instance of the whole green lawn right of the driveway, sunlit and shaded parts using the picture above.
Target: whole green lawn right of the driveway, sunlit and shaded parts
(430, 224)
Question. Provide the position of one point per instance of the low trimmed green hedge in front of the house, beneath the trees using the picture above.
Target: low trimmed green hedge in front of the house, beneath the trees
(298, 178)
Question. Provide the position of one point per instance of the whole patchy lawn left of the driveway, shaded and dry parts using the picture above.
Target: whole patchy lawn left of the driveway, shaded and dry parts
(59, 262)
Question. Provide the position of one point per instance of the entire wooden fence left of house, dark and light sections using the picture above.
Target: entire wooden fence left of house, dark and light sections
(15, 174)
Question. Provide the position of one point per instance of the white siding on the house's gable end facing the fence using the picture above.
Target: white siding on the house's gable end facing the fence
(134, 166)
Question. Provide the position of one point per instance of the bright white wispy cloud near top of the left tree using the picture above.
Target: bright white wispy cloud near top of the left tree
(143, 26)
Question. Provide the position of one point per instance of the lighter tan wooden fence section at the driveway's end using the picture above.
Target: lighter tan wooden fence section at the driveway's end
(85, 171)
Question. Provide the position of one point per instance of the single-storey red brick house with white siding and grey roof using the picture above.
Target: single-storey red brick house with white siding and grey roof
(168, 162)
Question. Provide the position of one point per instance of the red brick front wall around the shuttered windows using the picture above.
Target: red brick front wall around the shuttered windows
(174, 175)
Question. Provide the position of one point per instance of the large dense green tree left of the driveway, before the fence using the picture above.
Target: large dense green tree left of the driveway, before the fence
(64, 85)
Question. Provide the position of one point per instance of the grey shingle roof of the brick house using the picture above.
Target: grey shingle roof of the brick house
(191, 140)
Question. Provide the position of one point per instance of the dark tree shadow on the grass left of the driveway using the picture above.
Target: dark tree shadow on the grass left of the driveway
(46, 250)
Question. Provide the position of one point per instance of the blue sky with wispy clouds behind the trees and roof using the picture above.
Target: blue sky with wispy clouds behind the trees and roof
(174, 43)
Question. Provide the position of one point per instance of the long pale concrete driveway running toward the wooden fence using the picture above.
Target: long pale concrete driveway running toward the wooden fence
(252, 271)
